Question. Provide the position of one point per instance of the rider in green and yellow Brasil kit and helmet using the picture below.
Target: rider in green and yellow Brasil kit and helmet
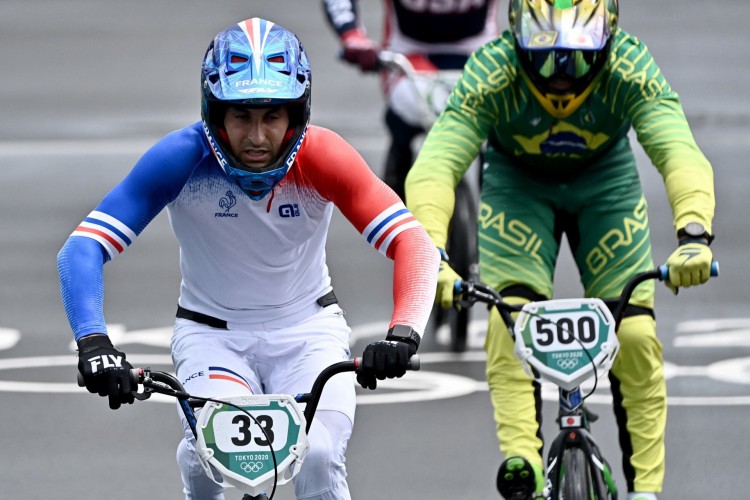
(555, 97)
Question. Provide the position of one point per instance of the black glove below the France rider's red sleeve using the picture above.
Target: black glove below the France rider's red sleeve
(388, 358)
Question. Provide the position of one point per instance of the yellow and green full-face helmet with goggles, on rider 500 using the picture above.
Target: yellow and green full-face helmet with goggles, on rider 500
(562, 45)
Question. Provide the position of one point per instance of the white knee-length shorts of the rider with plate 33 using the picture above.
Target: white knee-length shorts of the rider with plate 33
(281, 357)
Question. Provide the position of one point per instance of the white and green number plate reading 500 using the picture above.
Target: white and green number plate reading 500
(554, 337)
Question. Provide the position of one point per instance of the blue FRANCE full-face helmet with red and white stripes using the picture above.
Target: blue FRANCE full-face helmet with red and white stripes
(255, 63)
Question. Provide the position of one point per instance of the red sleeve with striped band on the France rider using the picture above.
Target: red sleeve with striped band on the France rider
(339, 174)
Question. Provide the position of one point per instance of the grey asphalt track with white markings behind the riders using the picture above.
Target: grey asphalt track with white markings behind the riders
(88, 85)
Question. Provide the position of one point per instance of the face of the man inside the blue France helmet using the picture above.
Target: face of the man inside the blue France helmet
(256, 134)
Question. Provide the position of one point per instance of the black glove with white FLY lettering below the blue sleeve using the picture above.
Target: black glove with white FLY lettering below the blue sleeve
(105, 370)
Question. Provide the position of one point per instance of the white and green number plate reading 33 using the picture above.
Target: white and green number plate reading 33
(239, 446)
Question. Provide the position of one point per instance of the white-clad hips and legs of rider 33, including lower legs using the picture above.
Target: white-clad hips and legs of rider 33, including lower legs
(280, 357)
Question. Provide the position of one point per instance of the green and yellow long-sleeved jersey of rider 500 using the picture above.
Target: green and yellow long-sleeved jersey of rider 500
(493, 102)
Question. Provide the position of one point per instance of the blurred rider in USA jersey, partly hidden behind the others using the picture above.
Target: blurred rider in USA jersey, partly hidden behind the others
(433, 34)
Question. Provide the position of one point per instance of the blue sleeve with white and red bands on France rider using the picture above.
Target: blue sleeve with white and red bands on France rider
(154, 181)
